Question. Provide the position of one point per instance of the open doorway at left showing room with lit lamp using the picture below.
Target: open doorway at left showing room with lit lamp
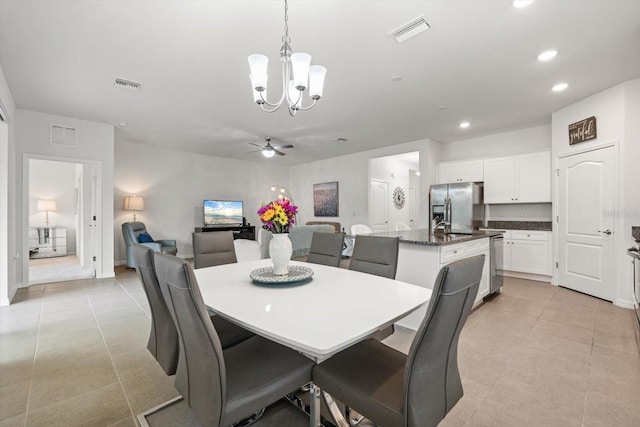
(60, 234)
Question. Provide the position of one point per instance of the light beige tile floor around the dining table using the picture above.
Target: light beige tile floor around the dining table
(74, 354)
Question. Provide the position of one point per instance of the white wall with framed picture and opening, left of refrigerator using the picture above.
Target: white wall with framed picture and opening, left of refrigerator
(352, 173)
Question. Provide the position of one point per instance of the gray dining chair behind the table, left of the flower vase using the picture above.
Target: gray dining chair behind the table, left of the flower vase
(213, 248)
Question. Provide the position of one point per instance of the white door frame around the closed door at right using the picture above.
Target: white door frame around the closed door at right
(615, 208)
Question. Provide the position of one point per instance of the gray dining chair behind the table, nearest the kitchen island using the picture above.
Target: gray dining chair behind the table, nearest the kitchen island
(375, 255)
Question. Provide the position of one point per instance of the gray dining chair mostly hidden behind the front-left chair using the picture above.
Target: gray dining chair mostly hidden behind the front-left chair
(163, 339)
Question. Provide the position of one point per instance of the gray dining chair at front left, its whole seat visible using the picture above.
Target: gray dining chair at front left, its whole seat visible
(223, 386)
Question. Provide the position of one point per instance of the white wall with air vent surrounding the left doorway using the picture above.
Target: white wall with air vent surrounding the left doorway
(94, 149)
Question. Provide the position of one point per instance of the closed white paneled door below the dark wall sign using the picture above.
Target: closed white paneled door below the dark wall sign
(586, 197)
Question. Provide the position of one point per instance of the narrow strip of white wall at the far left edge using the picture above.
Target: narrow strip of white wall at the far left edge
(8, 231)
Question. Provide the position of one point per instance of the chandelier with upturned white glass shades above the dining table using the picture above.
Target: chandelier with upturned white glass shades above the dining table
(297, 75)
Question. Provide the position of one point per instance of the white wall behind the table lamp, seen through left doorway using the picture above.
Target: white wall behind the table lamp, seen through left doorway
(54, 181)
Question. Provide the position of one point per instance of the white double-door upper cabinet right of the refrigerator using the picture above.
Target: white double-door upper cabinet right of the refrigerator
(518, 179)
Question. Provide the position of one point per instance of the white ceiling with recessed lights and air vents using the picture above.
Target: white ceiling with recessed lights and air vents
(476, 63)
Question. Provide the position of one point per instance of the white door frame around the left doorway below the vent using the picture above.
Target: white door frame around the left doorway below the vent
(26, 185)
